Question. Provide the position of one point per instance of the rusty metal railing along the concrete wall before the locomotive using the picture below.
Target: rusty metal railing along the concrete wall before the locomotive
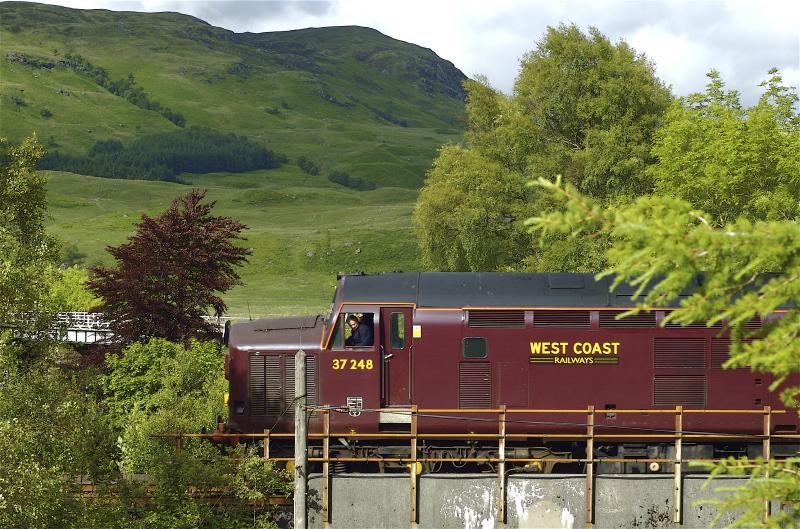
(678, 435)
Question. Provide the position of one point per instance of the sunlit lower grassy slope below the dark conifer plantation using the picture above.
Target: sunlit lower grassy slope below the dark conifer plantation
(303, 229)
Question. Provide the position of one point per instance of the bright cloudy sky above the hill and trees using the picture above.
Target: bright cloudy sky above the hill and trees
(685, 39)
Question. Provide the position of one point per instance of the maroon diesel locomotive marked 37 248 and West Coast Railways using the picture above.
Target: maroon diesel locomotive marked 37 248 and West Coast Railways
(468, 341)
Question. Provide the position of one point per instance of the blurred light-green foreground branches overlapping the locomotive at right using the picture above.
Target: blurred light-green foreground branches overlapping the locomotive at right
(661, 245)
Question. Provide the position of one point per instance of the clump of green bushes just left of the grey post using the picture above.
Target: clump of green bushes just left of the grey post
(160, 387)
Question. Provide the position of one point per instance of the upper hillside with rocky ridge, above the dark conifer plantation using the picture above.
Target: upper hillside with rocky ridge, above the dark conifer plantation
(349, 98)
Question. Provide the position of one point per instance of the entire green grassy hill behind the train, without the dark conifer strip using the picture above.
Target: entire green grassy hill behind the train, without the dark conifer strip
(348, 98)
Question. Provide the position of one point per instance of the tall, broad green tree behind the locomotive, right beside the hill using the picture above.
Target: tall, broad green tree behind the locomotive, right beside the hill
(582, 107)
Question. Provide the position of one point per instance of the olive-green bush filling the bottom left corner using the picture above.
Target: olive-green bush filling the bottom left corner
(51, 431)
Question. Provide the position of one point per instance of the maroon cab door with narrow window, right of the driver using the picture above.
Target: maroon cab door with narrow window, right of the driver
(396, 352)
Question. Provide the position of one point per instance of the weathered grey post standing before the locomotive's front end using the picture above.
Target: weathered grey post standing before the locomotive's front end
(300, 433)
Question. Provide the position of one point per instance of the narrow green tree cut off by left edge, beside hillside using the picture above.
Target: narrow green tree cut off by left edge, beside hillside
(26, 251)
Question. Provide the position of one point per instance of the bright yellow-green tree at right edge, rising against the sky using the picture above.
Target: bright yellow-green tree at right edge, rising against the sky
(731, 161)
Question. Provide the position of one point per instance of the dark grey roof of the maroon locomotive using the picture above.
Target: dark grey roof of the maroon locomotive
(487, 289)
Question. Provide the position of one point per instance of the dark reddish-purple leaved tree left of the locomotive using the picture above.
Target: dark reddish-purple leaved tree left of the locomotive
(170, 273)
